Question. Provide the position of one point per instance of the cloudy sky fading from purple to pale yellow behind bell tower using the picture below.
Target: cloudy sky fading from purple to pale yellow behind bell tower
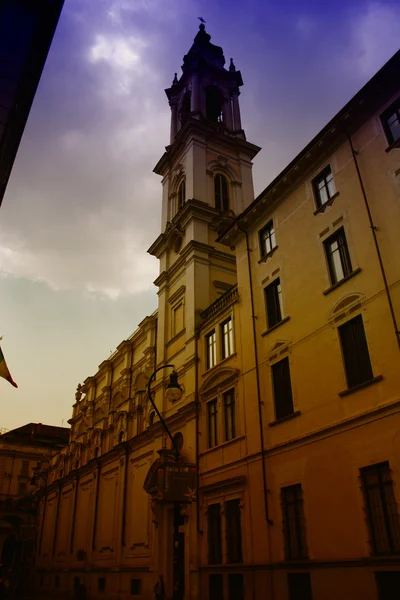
(83, 205)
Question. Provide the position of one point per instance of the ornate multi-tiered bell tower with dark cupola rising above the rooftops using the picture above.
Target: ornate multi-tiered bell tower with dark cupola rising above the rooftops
(207, 181)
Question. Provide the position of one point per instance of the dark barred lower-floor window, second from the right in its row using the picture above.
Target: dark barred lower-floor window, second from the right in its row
(293, 522)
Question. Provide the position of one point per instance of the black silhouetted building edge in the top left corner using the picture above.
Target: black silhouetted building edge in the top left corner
(26, 32)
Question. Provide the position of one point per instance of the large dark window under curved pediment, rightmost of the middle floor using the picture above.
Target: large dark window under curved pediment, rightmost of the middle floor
(355, 352)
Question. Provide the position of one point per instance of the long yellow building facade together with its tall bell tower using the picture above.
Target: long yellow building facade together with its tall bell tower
(280, 316)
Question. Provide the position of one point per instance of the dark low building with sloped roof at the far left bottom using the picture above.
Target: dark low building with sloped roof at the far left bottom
(23, 451)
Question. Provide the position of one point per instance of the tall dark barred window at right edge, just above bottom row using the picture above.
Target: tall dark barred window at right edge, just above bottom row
(381, 507)
